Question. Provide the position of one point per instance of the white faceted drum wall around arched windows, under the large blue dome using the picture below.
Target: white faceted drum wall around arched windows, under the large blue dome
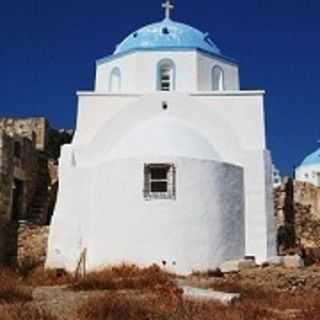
(139, 71)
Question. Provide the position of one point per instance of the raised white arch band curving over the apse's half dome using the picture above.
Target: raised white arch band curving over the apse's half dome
(201, 117)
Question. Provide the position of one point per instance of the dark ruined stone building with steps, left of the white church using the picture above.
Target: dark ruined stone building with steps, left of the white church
(29, 152)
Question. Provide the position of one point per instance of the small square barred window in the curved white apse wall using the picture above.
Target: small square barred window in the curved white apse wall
(159, 181)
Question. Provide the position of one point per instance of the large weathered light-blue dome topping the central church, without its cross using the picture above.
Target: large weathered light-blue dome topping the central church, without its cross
(167, 34)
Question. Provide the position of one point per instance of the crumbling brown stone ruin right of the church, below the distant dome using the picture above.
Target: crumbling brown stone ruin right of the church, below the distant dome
(297, 215)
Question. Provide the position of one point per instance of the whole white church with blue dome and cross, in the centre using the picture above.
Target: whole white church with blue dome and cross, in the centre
(169, 163)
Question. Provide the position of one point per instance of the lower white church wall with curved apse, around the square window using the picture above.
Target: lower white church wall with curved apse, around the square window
(203, 227)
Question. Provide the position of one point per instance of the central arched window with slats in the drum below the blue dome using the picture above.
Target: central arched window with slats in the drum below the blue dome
(166, 75)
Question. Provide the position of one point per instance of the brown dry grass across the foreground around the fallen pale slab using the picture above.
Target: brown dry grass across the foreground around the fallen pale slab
(257, 303)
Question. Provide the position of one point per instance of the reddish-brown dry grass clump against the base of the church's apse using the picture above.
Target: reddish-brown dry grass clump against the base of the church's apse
(123, 277)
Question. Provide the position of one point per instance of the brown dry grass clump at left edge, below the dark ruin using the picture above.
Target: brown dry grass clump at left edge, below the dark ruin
(11, 290)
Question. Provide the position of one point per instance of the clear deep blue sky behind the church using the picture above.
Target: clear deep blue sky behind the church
(48, 51)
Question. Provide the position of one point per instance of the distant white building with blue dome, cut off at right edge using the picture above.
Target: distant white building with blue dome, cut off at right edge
(309, 169)
